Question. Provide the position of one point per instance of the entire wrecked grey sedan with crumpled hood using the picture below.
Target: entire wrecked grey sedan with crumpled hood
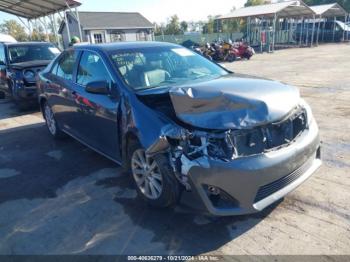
(184, 127)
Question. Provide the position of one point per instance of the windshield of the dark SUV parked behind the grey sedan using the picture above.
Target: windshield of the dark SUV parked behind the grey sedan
(27, 53)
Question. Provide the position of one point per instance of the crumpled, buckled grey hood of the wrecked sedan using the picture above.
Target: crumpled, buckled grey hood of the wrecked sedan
(235, 102)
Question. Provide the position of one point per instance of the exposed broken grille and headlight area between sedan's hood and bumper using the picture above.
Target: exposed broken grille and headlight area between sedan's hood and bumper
(187, 149)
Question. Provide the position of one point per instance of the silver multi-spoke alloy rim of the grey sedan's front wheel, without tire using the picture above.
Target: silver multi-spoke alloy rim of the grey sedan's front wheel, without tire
(146, 174)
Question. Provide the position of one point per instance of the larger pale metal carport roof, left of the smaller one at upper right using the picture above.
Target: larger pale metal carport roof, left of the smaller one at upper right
(282, 9)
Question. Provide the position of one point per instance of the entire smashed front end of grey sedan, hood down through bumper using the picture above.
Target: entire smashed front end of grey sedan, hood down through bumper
(237, 144)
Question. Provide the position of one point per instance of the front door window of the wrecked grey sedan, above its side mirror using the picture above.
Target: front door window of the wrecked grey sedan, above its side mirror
(91, 69)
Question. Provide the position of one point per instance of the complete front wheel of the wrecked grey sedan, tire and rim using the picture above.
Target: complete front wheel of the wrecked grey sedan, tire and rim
(154, 178)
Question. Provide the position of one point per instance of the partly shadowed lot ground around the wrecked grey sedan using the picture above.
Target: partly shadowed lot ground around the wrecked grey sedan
(62, 198)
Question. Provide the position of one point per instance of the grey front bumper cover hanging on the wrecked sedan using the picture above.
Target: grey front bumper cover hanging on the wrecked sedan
(249, 184)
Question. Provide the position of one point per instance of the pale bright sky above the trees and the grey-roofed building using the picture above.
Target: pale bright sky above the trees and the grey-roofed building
(159, 10)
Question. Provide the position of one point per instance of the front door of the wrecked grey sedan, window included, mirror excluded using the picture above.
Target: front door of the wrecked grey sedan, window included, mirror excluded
(98, 114)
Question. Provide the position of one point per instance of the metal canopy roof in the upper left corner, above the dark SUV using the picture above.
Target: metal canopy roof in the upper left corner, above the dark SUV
(32, 9)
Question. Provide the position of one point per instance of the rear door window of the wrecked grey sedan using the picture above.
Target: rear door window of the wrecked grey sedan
(65, 67)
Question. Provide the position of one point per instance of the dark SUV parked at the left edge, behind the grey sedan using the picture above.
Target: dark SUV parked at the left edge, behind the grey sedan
(19, 65)
